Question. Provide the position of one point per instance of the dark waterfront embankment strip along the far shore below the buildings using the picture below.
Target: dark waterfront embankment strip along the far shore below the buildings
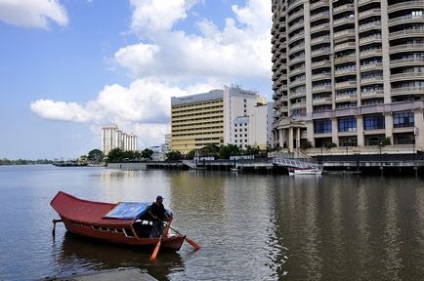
(355, 164)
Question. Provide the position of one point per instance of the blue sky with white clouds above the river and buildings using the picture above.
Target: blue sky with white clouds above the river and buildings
(69, 67)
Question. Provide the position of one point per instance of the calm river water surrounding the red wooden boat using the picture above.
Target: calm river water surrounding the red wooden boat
(250, 227)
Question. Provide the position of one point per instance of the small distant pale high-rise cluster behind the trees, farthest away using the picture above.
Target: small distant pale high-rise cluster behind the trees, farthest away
(112, 138)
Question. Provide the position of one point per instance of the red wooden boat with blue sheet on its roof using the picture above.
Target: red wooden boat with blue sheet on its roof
(123, 223)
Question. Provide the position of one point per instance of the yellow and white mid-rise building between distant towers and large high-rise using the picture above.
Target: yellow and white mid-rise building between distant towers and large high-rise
(220, 117)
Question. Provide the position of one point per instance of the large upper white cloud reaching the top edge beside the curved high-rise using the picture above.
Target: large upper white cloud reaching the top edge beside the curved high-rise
(240, 51)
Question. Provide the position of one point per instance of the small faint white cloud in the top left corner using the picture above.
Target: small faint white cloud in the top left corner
(32, 13)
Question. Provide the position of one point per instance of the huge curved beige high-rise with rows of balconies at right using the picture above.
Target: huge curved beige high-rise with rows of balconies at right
(349, 72)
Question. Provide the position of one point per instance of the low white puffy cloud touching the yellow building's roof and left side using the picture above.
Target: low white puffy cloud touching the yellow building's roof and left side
(143, 108)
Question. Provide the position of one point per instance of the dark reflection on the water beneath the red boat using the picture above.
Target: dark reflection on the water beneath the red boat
(80, 255)
